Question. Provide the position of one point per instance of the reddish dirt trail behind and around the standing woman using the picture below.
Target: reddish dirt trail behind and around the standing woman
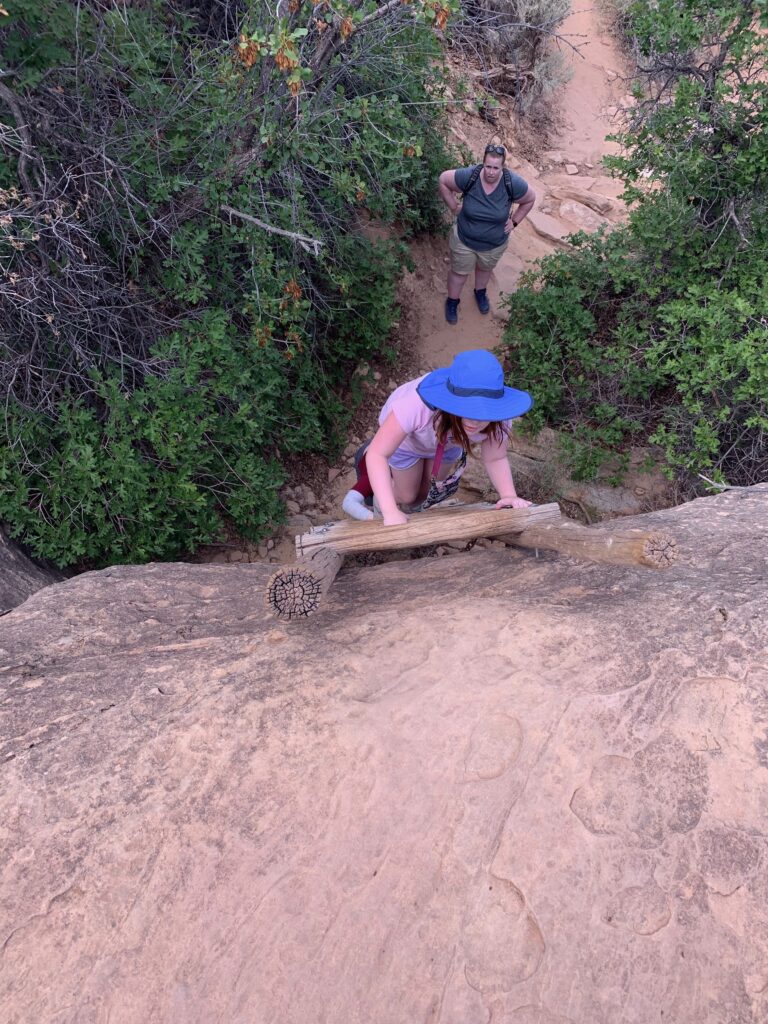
(587, 105)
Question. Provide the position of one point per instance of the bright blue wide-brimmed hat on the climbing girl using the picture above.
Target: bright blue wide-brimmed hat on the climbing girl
(474, 389)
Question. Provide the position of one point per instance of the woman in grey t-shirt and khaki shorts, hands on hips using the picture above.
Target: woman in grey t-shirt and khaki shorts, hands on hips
(482, 232)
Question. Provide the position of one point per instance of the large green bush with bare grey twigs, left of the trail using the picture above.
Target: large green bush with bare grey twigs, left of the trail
(184, 287)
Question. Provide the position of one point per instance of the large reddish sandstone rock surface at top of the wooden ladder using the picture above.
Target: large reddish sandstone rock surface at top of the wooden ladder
(492, 788)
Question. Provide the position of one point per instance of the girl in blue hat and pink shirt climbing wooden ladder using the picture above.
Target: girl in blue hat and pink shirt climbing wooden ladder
(425, 431)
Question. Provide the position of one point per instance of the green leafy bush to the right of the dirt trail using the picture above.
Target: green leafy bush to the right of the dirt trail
(658, 331)
